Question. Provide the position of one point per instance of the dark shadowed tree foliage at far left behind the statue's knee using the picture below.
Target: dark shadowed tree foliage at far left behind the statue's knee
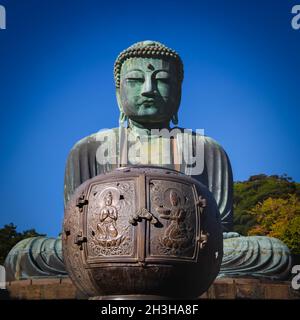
(9, 237)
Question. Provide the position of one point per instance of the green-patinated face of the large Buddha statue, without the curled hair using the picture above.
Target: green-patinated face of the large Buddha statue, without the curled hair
(149, 90)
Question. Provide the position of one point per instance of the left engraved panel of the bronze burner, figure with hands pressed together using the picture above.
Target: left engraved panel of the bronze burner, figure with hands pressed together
(108, 231)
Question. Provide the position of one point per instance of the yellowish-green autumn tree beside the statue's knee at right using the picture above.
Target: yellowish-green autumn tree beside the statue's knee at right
(279, 218)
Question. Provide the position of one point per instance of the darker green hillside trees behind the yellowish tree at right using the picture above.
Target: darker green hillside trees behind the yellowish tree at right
(256, 189)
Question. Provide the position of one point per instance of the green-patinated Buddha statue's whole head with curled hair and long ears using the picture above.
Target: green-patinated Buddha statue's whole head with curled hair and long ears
(148, 78)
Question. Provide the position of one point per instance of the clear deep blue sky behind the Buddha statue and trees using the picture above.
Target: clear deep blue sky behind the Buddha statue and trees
(242, 66)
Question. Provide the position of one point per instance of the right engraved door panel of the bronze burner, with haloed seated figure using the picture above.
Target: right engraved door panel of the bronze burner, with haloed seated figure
(174, 205)
